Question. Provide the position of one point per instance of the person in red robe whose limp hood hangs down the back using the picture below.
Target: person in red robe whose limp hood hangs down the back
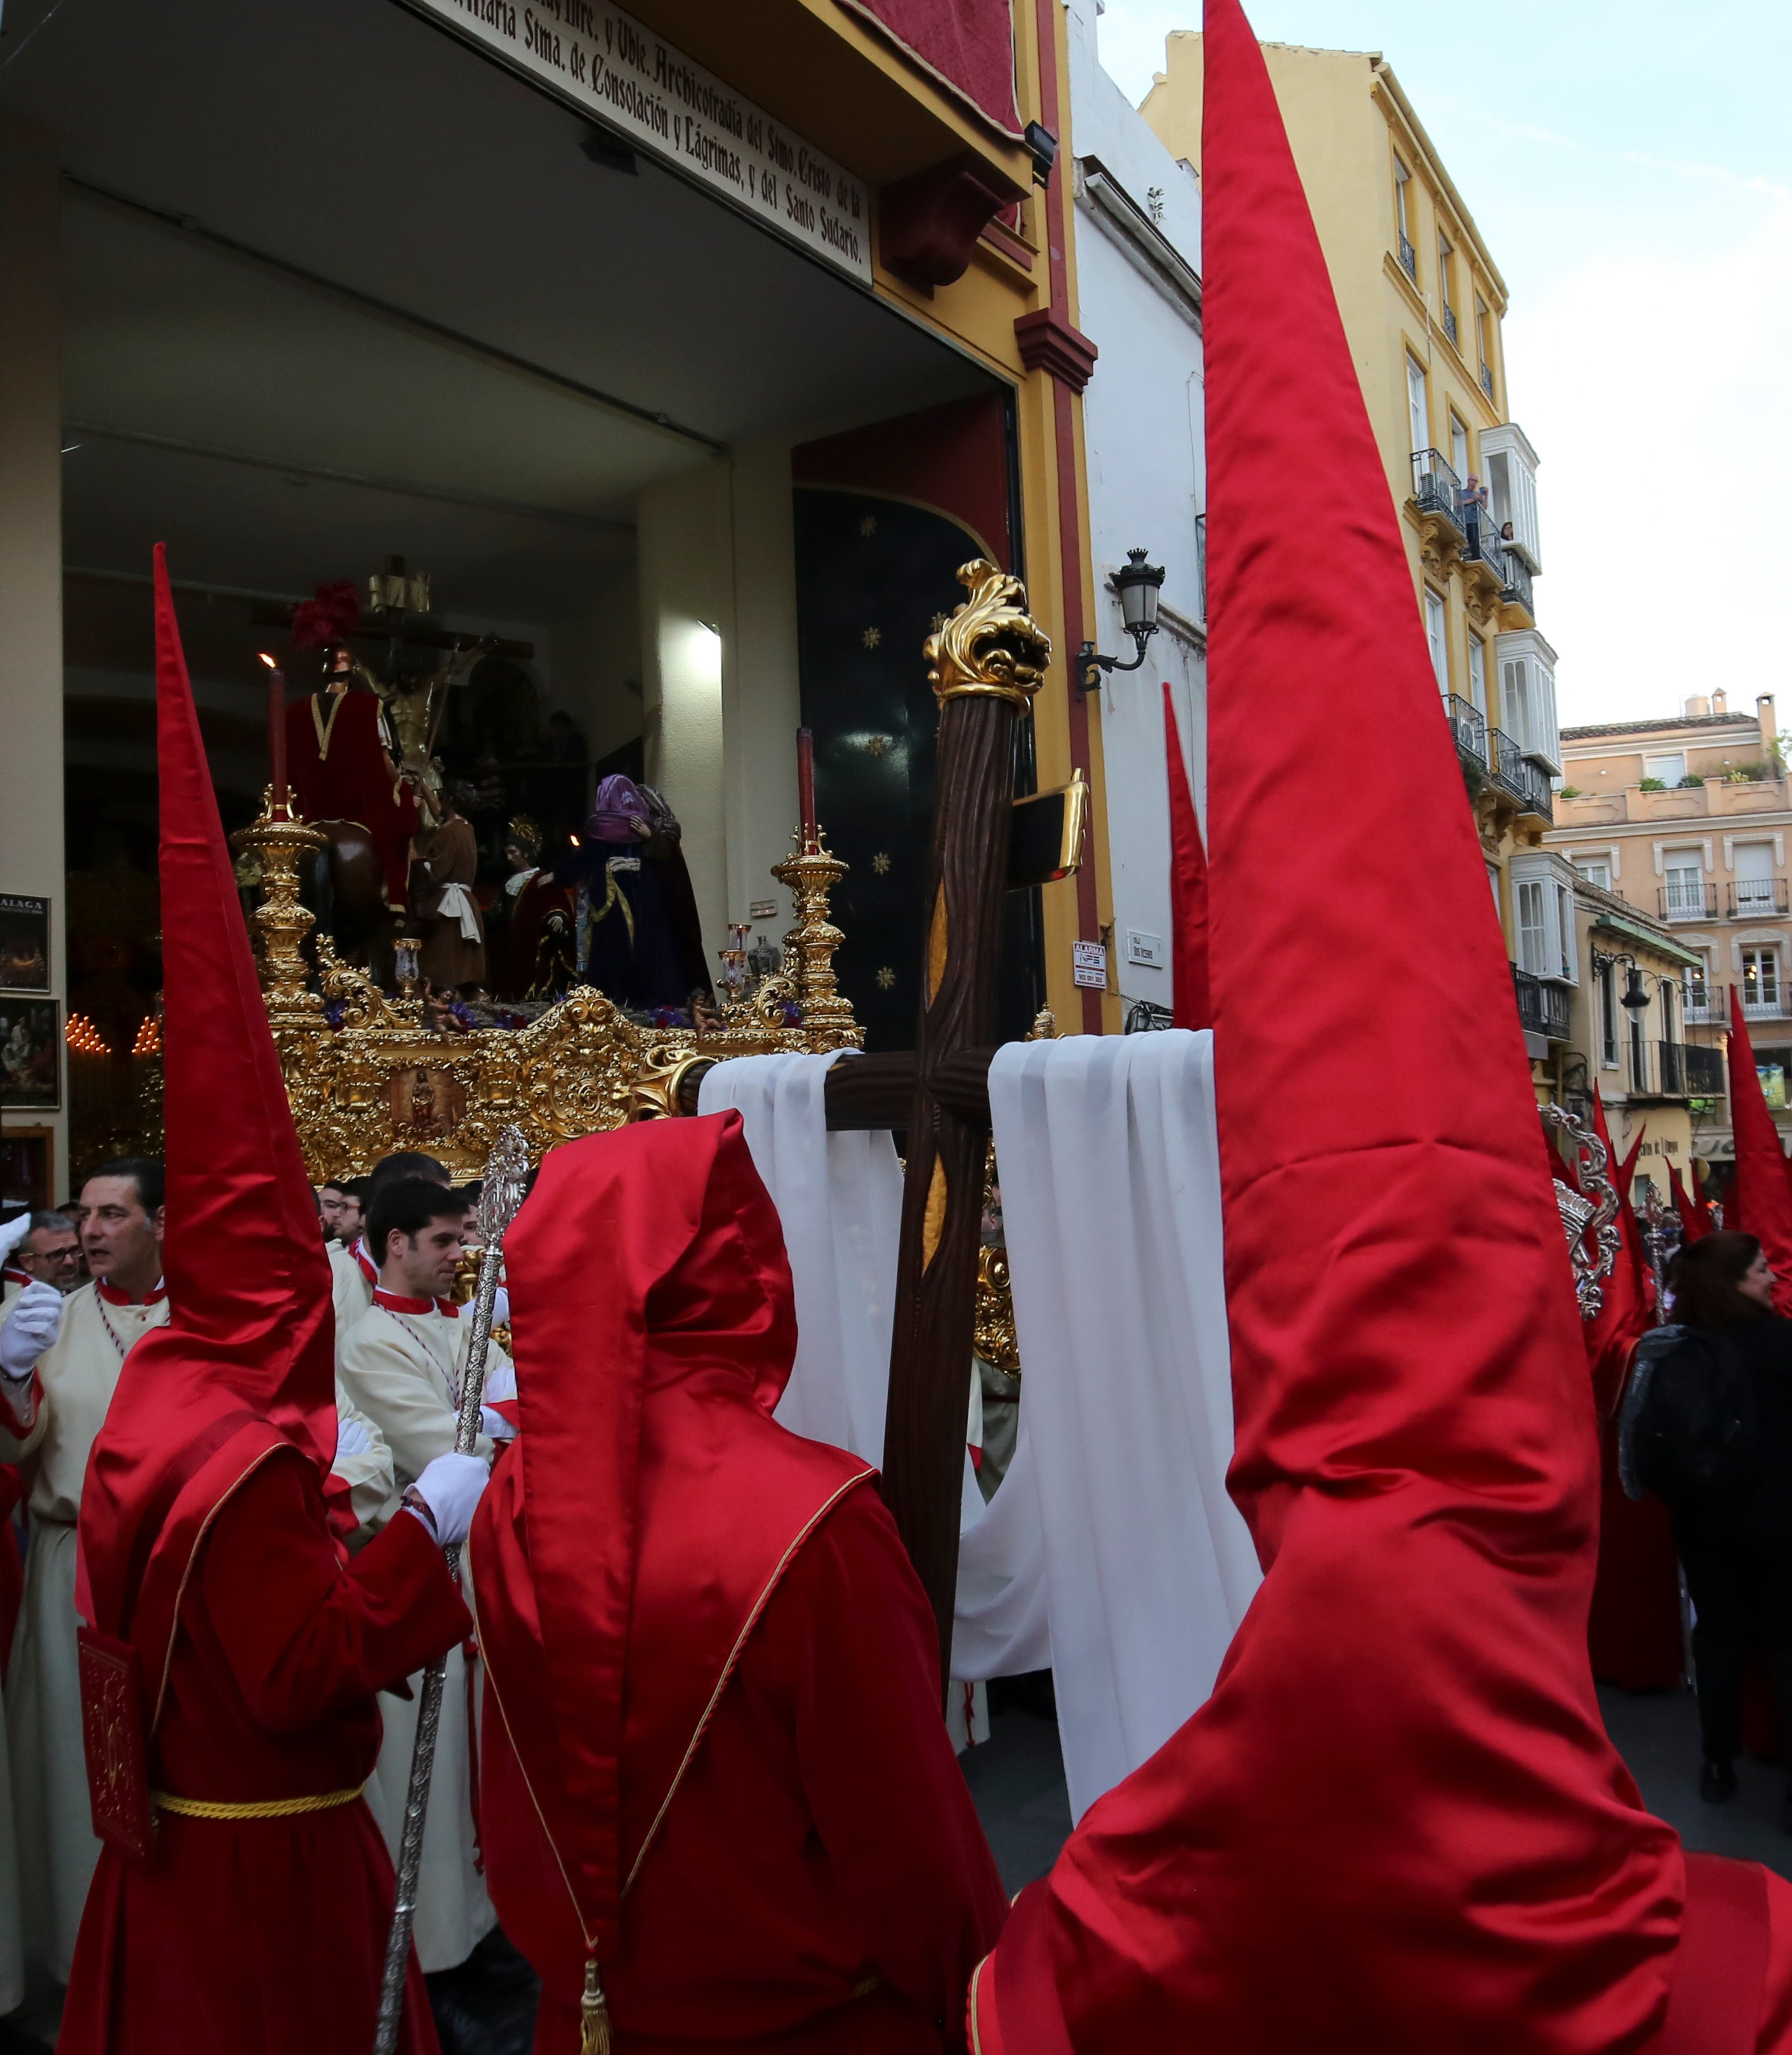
(716, 1772)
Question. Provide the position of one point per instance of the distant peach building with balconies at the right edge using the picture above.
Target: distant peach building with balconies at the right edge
(1686, 821)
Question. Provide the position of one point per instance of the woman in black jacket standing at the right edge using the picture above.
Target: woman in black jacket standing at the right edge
(1713, 1435)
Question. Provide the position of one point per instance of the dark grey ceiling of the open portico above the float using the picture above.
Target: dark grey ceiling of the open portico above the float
(336, 287)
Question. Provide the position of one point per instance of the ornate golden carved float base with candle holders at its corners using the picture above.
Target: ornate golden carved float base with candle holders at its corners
(367, 1074)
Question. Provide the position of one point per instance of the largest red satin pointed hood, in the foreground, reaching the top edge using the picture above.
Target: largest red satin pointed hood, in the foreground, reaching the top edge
(1398, 1820)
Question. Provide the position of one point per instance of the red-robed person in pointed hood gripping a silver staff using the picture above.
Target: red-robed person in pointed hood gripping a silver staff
(211, 1559)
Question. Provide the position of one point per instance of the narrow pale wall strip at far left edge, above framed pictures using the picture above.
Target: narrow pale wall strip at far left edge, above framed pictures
(32, 560)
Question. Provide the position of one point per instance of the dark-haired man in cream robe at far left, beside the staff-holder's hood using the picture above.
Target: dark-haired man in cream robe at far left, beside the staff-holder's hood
(52, 1407)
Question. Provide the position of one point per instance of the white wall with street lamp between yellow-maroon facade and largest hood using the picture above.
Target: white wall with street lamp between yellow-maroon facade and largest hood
(1148, 478)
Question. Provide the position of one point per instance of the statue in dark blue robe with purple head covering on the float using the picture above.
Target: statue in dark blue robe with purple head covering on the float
(638, 934)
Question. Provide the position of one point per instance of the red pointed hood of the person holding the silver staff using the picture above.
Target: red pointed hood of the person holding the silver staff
(246, 1366)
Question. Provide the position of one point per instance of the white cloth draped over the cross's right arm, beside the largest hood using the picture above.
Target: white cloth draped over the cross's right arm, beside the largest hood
(1121, 1534)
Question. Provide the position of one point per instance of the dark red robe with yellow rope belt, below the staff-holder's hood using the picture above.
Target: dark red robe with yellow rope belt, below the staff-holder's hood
(266, 1935)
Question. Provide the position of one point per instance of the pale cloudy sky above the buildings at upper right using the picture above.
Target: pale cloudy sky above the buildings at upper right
(1631, 167)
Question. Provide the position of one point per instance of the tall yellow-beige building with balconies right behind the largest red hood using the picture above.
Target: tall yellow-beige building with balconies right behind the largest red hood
(1423, 303)
